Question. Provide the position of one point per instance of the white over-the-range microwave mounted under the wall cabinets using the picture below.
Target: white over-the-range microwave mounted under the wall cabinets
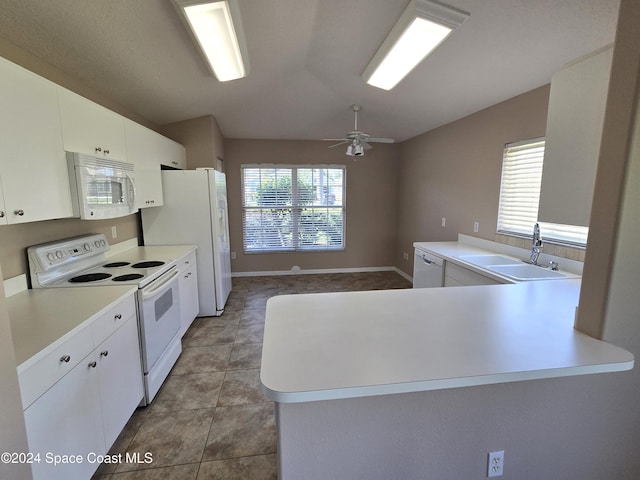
(101, 188)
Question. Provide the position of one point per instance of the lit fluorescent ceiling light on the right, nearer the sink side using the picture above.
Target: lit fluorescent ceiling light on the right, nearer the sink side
(421, 28)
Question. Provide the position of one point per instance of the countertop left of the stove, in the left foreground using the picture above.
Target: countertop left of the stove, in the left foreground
(43, 318)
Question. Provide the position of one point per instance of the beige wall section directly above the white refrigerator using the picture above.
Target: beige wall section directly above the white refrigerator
(201, 138)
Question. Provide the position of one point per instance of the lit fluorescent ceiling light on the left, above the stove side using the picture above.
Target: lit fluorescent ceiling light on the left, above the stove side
(217, 29)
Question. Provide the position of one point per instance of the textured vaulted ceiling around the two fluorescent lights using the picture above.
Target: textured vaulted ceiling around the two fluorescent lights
(306, 59)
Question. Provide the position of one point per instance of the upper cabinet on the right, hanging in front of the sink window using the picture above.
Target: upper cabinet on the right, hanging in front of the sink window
(574, 128)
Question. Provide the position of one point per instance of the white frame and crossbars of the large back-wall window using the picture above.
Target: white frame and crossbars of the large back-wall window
(296, 208)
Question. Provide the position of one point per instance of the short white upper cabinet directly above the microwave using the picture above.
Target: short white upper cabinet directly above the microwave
(90, 128)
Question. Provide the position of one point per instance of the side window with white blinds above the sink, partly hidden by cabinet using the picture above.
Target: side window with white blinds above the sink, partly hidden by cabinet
(520, 195)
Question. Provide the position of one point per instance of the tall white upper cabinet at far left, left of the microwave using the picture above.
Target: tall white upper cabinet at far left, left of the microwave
(33, 168)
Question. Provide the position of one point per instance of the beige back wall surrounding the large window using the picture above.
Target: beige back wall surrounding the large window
(370, 203)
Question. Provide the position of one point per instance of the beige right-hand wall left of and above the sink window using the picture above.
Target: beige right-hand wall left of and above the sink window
(454, 172)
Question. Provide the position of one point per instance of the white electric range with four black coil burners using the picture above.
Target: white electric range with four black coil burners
(81, 261)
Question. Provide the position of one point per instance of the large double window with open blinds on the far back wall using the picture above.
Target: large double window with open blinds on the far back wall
(293, 208)
